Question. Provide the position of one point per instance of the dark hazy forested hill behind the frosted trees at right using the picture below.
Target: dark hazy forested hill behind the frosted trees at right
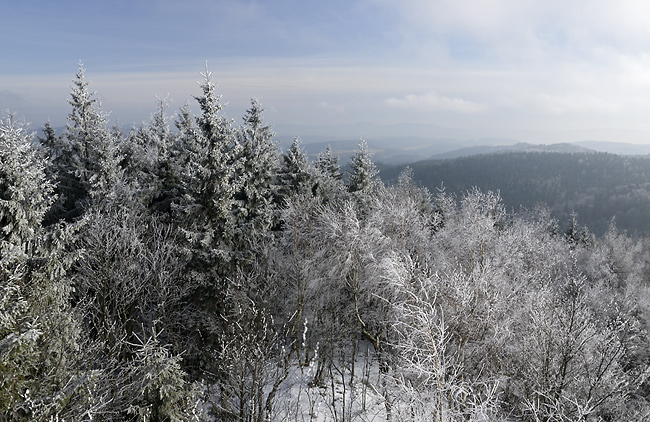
(597, 186)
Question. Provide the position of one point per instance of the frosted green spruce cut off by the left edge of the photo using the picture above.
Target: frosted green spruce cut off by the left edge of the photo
(38, 331)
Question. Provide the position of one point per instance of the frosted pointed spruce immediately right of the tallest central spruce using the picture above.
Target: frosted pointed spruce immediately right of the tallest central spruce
(257, 164)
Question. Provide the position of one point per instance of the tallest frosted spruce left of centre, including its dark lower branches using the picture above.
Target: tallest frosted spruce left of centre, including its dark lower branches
(204, 214)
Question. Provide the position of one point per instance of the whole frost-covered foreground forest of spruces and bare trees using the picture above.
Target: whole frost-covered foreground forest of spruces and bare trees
(190, 270)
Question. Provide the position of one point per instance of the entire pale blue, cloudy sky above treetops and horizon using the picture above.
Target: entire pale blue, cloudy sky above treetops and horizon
(536, 71)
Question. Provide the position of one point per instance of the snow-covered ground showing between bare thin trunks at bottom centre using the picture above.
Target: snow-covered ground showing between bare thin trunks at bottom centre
(349, 392)
